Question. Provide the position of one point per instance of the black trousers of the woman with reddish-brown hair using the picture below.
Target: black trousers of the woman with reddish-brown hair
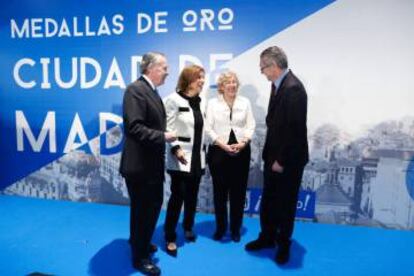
(184, 189)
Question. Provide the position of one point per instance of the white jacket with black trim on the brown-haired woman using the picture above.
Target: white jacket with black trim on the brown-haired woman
(180, 118)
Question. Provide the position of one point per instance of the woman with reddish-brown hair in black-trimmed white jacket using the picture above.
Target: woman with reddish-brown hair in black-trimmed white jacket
(185, 156)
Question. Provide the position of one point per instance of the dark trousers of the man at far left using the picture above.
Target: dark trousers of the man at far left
(146, 195)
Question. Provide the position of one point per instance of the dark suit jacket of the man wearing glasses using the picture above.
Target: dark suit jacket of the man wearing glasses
(286, 138)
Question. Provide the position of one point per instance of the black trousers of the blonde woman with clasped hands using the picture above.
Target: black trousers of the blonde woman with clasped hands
(230, 175)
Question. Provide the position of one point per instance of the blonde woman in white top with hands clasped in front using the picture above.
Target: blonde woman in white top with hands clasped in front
(230, 125)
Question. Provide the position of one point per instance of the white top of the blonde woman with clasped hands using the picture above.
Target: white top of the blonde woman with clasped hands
(219, 123)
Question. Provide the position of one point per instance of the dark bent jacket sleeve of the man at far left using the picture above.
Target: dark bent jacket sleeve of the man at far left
(136, 121)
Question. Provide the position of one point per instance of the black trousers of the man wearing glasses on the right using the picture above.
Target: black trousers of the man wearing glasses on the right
(278, 203)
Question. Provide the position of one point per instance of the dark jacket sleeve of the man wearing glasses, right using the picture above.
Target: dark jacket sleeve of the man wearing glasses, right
(295, 128)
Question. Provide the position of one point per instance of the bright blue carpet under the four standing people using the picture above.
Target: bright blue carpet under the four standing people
(67, 238)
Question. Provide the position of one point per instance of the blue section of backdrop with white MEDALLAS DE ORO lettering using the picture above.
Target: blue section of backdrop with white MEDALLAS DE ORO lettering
(89, 46)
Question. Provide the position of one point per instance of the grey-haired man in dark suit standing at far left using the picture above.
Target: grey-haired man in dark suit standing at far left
(142, 161)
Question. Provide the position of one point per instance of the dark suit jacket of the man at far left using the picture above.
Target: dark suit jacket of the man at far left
(144, 127)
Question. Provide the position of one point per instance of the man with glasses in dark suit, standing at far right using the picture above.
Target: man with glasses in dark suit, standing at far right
(285, 154)
